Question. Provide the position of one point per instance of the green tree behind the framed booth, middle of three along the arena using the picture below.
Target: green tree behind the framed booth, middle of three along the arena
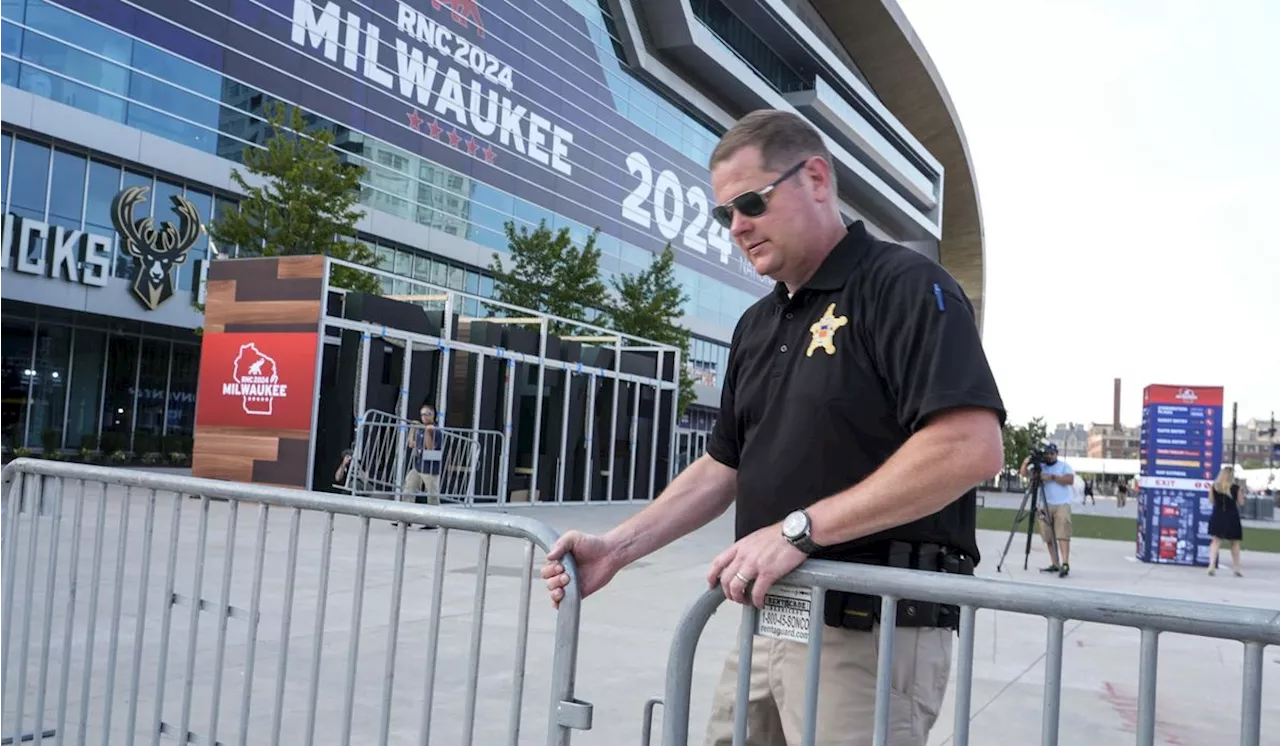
(550, 274)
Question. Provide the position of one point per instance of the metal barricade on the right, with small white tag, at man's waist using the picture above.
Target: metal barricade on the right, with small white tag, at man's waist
(1254, 628)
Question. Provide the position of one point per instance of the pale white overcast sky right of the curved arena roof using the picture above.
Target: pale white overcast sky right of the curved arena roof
(1127, 155)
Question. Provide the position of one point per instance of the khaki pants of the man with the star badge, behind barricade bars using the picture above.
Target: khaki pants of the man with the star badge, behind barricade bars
(847, 689)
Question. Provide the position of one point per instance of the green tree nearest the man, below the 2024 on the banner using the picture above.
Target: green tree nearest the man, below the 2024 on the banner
(648, 305)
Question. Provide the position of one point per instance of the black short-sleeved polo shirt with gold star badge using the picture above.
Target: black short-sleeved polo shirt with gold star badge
(825, 387)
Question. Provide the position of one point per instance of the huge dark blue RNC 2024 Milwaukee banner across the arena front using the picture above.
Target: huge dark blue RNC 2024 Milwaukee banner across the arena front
(509, 94)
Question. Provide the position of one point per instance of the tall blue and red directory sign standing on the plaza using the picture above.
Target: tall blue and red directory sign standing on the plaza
(1181, 454)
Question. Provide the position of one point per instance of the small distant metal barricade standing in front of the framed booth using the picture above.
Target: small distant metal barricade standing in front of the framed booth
(470, 461)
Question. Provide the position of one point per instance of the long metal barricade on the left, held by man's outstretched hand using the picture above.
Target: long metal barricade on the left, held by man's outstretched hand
(130, 615)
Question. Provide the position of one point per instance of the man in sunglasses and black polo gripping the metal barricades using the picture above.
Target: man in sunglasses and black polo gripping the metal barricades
(858, 417)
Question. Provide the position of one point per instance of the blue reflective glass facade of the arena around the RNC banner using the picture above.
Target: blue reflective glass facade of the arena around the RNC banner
(60, 54)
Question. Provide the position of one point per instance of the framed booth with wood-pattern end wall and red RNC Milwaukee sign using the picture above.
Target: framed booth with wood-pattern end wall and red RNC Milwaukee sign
(296, 372)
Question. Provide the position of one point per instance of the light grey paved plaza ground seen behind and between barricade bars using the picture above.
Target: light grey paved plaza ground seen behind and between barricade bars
(625, 637)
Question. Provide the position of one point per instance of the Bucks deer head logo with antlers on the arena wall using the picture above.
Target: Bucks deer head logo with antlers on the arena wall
(157, 251)
